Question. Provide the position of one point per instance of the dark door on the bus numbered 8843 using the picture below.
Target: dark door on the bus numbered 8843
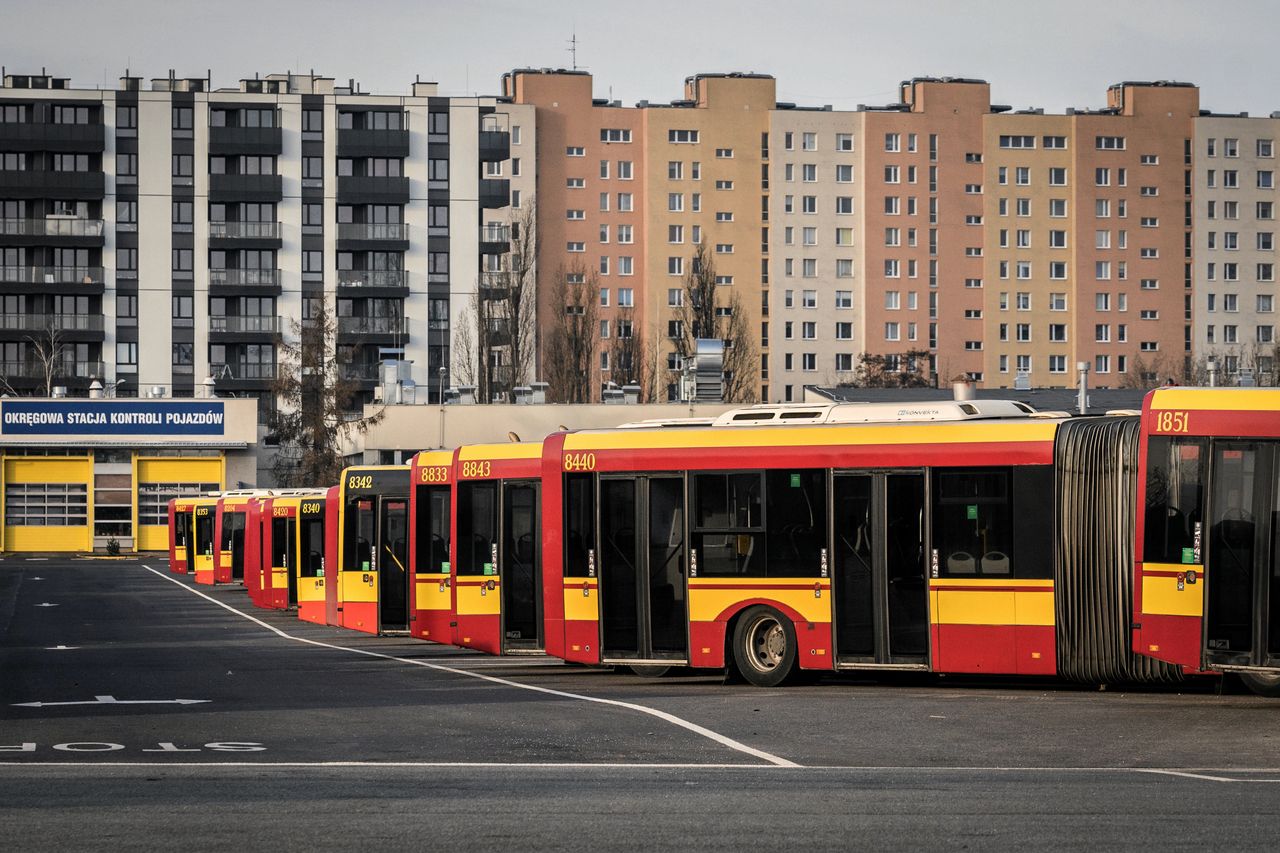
(522, 563)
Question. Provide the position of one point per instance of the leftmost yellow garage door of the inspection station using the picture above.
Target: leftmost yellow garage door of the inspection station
(47, 504)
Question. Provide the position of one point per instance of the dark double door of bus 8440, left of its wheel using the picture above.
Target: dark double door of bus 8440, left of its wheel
(642, 565)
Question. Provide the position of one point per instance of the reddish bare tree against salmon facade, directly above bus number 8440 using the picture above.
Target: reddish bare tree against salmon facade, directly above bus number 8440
(573, 336)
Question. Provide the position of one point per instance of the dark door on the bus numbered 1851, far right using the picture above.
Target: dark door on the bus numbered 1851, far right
(1242, 573)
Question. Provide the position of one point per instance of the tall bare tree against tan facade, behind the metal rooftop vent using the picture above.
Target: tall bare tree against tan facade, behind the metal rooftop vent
(708, 311)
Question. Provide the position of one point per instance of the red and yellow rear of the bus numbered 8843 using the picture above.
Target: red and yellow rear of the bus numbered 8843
(497, 567)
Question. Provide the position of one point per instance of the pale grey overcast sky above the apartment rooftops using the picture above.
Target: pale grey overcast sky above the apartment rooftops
(822, 52)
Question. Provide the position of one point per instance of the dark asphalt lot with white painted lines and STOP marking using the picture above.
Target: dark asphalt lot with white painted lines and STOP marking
(140, 711)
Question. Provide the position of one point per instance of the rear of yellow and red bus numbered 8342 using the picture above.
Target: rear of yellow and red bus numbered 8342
(372, 589)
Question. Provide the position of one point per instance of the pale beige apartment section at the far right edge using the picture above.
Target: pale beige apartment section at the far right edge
(1236, 264)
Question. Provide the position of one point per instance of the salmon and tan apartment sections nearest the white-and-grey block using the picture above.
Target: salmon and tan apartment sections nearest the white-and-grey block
(639, 190)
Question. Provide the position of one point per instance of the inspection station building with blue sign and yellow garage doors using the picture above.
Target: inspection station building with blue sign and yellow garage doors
(79, 473)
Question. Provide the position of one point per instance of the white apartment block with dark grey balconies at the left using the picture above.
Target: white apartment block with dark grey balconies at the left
(177, 232)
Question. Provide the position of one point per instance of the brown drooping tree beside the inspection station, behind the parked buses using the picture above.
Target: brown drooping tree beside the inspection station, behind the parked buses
(318, 398)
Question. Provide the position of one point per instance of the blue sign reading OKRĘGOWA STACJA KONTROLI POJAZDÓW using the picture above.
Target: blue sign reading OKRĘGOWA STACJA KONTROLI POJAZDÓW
(112, 418)
